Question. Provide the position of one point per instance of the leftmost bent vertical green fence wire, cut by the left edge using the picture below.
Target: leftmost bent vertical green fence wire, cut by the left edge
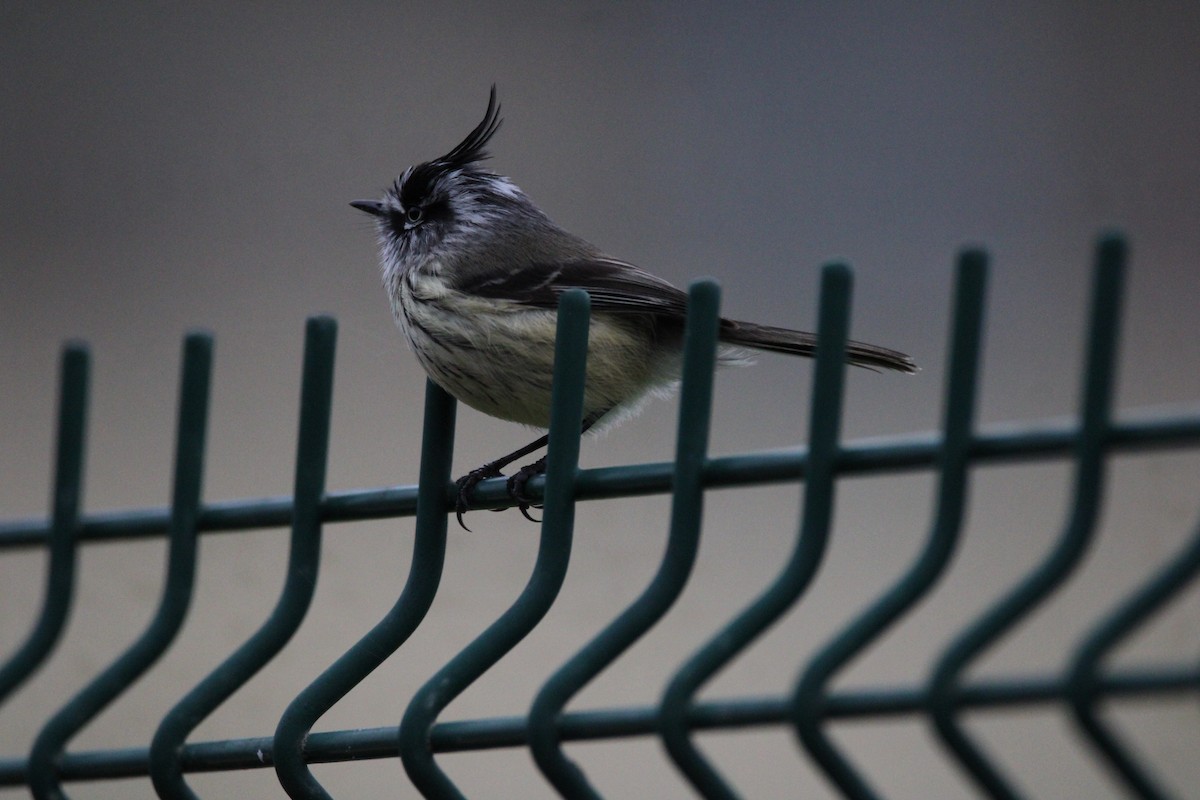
(73, 420)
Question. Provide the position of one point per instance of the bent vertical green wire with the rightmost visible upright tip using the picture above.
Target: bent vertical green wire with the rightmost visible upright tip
(1073, 543)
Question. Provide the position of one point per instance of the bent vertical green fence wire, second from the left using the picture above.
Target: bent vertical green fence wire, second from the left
(121, 676)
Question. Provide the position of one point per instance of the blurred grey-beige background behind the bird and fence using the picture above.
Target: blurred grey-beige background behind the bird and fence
(167, 169)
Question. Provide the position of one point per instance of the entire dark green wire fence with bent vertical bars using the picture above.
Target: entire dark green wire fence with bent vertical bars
(943, 700)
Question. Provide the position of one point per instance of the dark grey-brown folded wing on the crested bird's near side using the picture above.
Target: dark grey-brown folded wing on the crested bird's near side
(615, 287)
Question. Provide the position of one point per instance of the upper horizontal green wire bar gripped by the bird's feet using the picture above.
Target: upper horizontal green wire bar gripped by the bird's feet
(1007, 443)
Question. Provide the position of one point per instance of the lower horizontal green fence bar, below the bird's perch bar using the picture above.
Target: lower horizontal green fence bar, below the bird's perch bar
(493, 733)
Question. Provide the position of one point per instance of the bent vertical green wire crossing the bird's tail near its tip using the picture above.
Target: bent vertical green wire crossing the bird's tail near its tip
(825, 426)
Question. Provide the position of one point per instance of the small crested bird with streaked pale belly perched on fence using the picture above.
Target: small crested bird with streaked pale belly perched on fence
(475, 270)
